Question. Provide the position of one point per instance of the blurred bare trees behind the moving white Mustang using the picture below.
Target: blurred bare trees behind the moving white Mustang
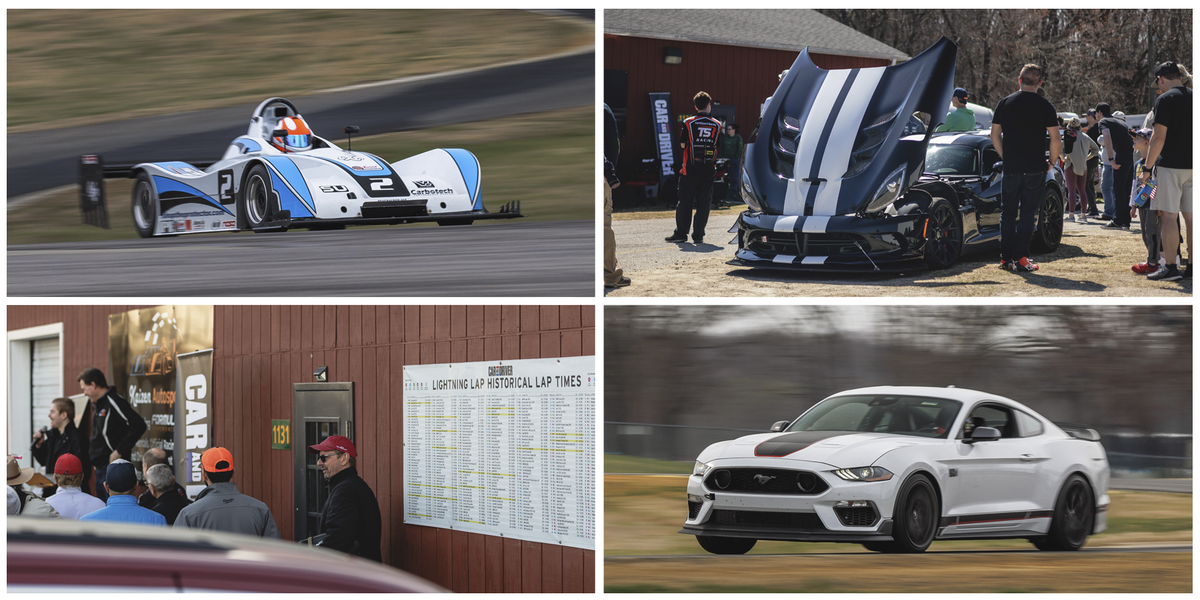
(716, 373)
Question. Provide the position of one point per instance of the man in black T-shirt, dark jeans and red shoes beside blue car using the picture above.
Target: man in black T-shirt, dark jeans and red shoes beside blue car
(1019, 129)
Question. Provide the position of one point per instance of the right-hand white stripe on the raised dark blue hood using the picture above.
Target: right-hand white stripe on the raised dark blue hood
(842, 140)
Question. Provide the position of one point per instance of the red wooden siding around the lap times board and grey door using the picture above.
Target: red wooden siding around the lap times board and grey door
(261, 351)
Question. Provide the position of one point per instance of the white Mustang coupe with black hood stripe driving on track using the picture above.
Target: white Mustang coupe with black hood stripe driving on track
(896, 469)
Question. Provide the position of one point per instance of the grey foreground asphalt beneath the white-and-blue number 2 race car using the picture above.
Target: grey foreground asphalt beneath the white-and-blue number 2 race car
(496, 260)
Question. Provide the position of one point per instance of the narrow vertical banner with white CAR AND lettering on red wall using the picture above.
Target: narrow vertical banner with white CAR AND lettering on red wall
(195, 437)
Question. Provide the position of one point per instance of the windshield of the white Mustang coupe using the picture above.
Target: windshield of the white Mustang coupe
(905, 416)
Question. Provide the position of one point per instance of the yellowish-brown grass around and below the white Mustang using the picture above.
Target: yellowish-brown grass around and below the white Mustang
(644, 514)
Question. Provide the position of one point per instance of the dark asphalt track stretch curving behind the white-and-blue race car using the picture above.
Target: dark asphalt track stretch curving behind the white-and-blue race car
(43, 160)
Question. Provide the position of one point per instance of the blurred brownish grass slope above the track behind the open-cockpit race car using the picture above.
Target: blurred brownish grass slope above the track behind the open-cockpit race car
(74, 68)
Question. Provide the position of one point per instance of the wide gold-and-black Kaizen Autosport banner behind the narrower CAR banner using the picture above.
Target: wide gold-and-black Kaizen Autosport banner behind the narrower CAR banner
(143, 350)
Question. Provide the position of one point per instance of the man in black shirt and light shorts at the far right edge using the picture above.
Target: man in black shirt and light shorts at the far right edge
(1171, 146)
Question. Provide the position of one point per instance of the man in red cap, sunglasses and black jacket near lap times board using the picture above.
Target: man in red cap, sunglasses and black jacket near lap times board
(351, 519)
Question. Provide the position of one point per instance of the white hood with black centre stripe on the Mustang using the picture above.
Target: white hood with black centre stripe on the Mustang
(838, 449)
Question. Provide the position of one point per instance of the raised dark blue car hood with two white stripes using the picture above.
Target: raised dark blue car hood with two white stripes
(830, 141)
